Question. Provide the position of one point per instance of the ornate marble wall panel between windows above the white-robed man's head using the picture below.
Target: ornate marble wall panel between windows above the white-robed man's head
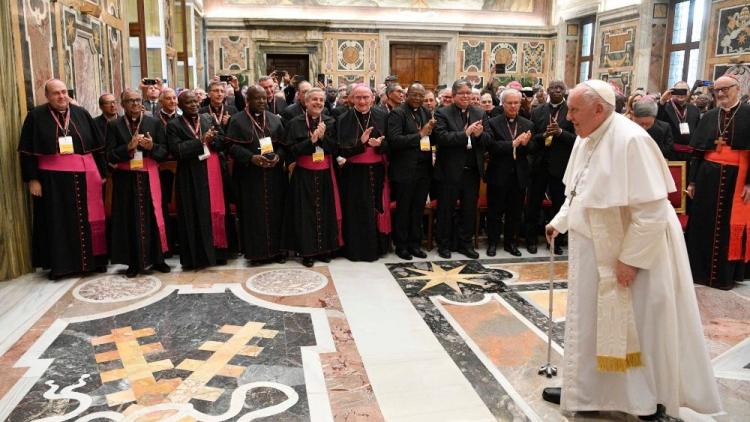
(614, 52)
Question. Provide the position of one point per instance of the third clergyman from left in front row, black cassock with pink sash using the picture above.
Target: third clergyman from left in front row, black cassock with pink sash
(201, 209)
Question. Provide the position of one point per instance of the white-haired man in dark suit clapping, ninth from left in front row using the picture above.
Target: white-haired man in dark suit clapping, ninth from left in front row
(507, 172)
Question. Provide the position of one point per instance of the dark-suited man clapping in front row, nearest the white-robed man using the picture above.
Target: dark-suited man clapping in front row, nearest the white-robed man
(550, 149)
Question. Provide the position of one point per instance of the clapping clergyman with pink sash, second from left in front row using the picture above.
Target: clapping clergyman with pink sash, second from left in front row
(135, 145)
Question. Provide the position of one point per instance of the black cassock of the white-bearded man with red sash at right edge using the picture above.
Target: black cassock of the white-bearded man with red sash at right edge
(708, 231)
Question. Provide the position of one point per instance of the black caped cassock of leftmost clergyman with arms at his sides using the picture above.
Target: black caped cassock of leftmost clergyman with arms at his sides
(61, 233)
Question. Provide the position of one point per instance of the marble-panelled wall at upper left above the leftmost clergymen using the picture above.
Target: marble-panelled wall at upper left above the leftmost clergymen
(80, 42)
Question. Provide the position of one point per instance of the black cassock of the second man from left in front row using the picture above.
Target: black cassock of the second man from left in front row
(136, 240)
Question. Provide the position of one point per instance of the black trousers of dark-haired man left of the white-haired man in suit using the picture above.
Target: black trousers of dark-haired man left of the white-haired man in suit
(462, 227)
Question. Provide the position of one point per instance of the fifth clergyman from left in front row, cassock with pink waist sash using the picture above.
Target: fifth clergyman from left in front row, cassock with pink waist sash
(312, 222)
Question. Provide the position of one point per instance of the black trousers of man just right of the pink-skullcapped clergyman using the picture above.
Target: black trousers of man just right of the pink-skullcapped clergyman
(410, 198)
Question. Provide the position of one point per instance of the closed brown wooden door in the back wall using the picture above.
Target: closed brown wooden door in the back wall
(416, 62)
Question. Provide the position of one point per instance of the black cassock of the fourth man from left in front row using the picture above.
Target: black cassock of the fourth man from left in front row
(260, 191)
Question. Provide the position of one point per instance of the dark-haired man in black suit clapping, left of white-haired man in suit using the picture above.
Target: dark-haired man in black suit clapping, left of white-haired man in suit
(460, 138)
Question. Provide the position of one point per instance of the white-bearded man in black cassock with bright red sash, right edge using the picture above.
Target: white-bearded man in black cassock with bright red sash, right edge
(717, 236)
